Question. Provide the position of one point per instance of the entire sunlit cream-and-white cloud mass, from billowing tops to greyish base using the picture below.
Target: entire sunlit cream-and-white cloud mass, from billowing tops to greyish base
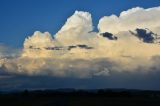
(128, 43)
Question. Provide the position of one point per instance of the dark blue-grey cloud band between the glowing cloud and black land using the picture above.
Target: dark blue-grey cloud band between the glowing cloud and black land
(116, 80)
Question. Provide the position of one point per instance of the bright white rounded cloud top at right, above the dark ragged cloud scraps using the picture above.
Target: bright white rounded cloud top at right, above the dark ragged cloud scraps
(130, 20)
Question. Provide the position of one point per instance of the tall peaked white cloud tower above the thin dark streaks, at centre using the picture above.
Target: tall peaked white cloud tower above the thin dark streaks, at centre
(77, 29)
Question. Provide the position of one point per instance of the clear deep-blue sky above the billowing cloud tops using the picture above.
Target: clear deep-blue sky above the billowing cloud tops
(20, 19)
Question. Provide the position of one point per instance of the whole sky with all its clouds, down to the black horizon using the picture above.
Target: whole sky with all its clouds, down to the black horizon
(46, 44)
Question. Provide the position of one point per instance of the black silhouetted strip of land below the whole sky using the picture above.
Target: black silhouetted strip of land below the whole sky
(73, 97)
